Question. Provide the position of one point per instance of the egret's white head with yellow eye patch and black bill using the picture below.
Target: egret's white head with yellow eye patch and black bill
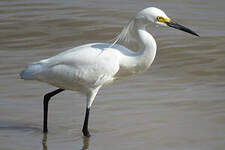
(157, 16)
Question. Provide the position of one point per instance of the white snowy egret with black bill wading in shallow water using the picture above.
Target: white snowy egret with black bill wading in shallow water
(88, 67)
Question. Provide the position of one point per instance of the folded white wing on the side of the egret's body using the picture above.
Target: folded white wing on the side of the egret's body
(85, 65)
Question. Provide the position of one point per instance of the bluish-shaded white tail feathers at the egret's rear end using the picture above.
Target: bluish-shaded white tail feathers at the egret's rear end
(31, 71)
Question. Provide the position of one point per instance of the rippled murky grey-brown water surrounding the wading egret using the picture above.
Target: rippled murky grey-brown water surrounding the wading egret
(177, 104)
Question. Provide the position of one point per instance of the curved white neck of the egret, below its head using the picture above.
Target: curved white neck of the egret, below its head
(139, 61)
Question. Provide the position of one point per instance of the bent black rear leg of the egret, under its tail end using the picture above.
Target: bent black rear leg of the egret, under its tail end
(47, 97)
